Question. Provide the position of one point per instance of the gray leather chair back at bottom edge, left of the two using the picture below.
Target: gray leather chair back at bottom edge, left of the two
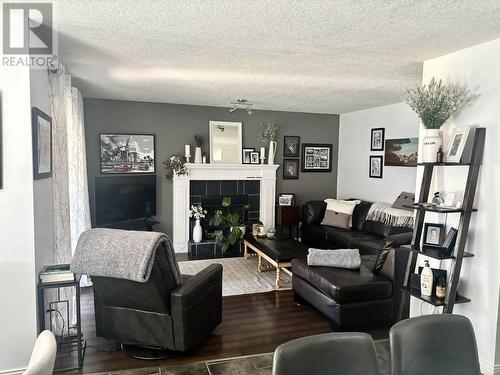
(330, 353)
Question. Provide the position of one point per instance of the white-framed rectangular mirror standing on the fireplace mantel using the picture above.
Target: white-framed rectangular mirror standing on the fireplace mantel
(225, 142)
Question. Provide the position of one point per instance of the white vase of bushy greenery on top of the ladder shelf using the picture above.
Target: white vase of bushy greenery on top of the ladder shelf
(435, 103)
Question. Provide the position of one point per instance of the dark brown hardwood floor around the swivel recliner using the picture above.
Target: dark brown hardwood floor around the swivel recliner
(251, 324)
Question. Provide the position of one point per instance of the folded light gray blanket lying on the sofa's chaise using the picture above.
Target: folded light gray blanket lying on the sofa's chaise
(340, 258)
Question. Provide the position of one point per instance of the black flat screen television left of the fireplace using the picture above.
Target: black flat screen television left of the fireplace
(121, 199)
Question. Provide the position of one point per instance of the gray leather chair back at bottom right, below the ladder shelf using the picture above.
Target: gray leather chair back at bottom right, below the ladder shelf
(434, 345)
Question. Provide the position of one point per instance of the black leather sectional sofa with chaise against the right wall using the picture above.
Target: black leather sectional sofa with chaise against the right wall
(351, 297)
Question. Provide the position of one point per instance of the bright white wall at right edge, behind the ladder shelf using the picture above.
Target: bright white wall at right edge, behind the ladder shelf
(478, 68)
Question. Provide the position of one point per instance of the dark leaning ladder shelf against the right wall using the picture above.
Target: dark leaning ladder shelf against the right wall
(465, 212)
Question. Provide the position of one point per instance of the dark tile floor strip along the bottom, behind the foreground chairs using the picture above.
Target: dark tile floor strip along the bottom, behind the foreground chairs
(260, 364)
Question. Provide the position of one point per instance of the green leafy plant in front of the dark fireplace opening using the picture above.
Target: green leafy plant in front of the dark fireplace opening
(230, 225)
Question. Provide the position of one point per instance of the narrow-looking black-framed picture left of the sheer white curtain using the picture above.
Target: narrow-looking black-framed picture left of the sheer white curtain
(42, 144)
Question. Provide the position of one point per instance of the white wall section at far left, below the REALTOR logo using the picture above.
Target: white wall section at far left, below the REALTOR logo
(17, 258)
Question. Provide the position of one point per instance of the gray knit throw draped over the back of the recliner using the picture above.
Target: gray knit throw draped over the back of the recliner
(123, 254)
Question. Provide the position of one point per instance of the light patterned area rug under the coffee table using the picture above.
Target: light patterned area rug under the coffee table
(239, 276)
